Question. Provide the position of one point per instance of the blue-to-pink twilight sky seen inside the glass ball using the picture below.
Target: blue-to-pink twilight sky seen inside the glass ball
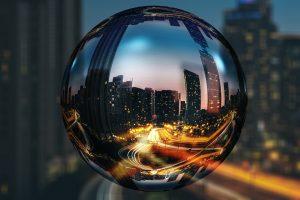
(154, 54)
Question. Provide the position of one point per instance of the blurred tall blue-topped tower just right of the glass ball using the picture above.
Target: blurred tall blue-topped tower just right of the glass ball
(249, 28)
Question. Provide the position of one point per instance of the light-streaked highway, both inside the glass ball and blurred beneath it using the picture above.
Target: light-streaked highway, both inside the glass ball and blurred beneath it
(228, 181)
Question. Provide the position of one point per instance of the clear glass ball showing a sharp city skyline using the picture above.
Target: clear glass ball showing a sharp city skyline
(153, 98)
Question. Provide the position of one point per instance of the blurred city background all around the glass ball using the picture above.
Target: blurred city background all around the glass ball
(37, 161)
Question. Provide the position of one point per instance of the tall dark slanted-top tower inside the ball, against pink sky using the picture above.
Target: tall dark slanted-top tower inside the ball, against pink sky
(193, 96)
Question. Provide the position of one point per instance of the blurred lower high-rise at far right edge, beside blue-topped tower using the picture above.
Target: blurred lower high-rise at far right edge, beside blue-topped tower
(285, 89)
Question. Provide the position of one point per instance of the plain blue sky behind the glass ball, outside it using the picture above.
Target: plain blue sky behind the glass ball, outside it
(286, 12)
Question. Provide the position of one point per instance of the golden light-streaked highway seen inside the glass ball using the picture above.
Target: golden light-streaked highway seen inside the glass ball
(150, 152)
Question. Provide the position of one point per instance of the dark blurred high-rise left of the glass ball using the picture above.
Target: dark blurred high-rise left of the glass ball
(37, 39)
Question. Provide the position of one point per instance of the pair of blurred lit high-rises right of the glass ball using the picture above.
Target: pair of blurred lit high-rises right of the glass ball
(271, 64)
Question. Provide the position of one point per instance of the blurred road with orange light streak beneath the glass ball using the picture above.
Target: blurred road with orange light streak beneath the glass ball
(219, 185)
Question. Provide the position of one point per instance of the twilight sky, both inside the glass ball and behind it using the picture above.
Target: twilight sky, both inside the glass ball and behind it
(139, 50)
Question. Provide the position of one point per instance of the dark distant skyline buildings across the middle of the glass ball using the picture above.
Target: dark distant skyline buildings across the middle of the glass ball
(129, 106)
